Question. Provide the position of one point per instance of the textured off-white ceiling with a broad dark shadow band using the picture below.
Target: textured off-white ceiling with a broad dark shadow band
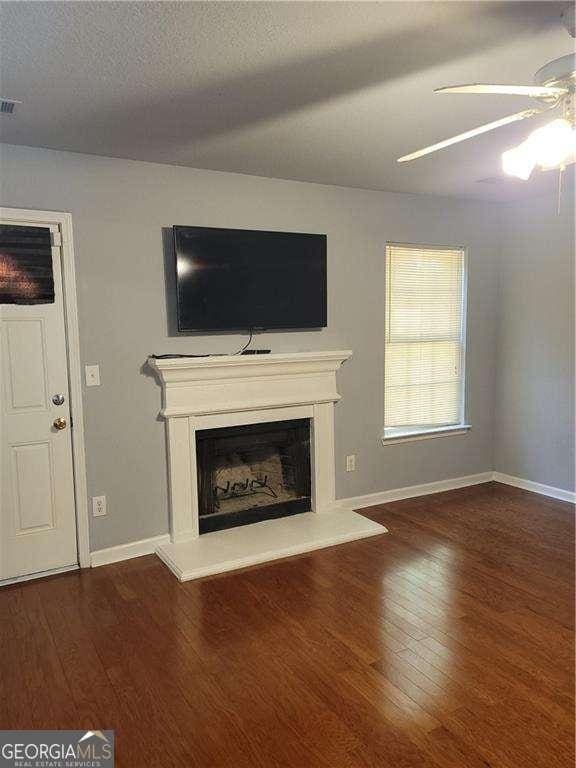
(330, 92)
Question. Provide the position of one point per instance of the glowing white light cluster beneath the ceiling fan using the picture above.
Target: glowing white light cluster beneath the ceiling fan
(548, 147)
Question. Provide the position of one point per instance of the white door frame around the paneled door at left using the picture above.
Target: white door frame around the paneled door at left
(64, 223)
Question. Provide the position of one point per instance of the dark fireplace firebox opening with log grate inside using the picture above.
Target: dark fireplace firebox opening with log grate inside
(253, 472)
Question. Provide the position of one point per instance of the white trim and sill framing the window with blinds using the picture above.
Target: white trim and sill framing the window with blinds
(462, 427)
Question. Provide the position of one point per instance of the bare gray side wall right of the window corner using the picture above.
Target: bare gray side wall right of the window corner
(535, 426)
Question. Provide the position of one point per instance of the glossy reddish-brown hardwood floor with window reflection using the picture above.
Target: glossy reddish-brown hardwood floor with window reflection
(447, 642)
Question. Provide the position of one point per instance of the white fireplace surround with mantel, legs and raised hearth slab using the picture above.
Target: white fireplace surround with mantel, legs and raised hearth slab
(232, 390)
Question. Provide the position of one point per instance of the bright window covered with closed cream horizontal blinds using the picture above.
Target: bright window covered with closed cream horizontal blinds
(425, 341)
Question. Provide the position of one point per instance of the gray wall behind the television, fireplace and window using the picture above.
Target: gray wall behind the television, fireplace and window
(119, 209)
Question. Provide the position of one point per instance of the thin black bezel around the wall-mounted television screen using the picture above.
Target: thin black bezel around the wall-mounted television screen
(255, 326)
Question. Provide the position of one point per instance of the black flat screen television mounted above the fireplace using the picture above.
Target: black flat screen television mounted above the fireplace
(242, 279)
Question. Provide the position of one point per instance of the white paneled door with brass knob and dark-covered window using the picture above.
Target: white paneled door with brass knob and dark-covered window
(37, 513)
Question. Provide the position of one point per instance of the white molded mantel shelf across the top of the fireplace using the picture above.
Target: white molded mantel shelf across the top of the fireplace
(195, 386)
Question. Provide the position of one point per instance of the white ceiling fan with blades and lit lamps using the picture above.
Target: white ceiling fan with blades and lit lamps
(551, 146)
